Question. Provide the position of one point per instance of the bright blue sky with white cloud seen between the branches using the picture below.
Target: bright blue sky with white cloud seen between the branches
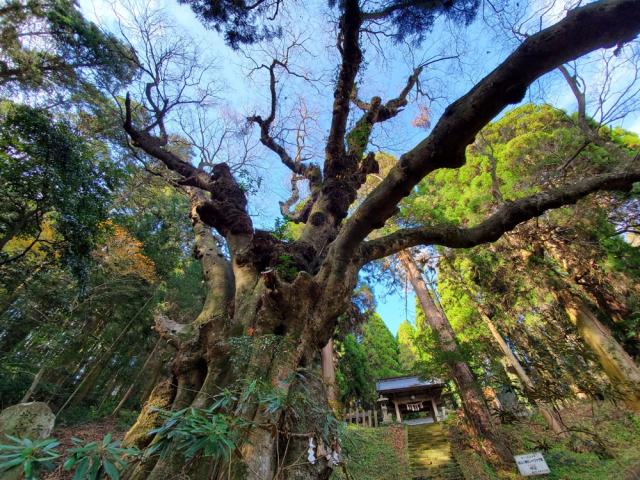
(245, 91)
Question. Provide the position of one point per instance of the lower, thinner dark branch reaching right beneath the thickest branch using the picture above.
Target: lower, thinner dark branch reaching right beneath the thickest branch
(505, 219)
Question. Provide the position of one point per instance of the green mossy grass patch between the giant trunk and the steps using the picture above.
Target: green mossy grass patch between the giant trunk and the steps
(374, 454)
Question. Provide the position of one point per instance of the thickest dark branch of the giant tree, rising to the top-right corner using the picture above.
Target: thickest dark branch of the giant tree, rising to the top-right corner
(601, 24)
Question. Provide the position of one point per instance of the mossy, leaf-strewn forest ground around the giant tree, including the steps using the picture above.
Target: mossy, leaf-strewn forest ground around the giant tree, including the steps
(603, 444)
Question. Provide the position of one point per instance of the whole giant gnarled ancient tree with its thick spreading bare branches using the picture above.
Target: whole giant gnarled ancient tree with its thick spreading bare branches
(285, 297)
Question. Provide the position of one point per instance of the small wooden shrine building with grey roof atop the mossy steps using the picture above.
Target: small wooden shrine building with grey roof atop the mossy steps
(402, 397)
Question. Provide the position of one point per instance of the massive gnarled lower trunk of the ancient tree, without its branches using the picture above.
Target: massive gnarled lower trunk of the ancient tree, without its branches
(273, 317)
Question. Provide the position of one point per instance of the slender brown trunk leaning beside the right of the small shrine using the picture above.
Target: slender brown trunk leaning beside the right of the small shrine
(473, 402)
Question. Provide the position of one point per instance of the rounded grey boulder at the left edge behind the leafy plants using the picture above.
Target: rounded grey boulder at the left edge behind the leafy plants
(32, 420)
